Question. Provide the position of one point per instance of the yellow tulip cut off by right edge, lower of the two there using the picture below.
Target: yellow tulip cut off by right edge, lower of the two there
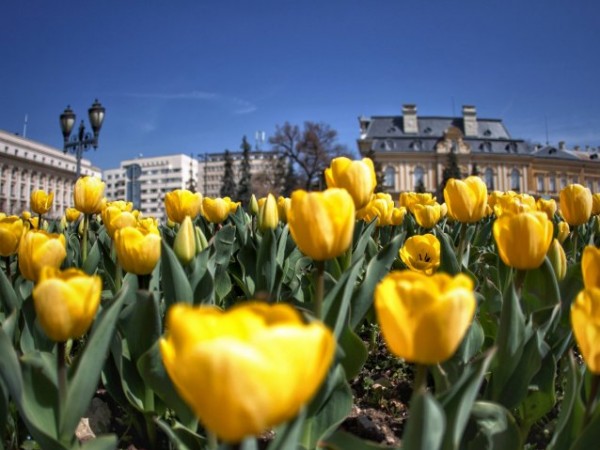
(585, 321)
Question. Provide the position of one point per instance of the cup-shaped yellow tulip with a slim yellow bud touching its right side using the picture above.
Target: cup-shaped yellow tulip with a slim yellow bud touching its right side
(523, 239)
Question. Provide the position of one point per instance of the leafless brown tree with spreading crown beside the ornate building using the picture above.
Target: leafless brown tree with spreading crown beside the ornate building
(310, 149)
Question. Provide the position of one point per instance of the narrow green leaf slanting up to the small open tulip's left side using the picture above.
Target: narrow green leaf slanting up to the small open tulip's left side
(378, 267)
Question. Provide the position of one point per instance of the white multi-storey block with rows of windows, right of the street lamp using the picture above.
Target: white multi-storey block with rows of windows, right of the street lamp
(144, 181)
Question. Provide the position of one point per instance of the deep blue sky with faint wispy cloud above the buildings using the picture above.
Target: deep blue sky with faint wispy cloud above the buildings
(194, 76)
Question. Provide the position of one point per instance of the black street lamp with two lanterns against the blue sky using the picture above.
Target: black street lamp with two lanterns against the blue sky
(82, 141)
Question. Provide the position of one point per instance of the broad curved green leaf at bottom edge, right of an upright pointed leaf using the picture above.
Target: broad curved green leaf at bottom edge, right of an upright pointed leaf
(495, 428)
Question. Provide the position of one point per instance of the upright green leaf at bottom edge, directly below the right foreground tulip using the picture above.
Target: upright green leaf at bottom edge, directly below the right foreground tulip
(426, 424)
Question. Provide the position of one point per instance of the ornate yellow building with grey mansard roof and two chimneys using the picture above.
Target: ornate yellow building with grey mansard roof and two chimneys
(413, 152)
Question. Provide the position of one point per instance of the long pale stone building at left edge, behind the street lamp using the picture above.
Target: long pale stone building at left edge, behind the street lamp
(27, 165)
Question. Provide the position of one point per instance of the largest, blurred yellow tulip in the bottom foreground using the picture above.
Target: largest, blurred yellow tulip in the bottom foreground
(245, 370)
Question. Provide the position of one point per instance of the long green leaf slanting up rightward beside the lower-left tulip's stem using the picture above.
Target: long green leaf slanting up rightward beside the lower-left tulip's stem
(84, 376)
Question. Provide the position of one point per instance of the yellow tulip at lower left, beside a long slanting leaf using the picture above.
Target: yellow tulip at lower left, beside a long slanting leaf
(66, 302)
